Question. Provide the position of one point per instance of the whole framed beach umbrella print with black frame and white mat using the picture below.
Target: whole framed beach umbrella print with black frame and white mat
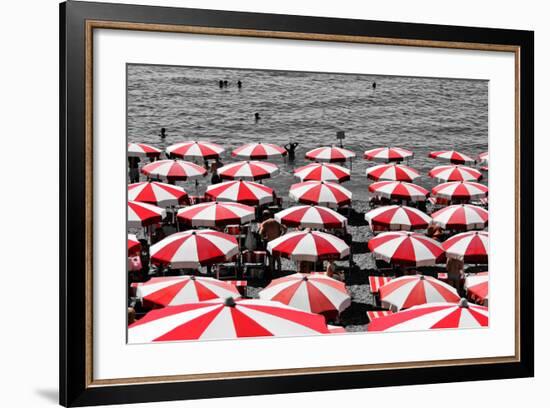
(256, 203)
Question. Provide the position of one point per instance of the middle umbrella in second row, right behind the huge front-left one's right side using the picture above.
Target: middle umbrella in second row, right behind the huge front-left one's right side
(311, 293)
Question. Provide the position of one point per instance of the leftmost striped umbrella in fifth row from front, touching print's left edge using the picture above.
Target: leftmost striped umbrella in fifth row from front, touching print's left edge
(161, 194)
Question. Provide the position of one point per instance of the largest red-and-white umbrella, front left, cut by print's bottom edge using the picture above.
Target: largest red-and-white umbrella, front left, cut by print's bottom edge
(225, 319)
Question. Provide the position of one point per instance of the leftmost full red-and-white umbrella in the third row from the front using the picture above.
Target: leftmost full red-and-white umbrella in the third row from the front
(193, 248)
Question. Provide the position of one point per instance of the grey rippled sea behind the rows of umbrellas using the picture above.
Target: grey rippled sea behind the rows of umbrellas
(419, 114)
